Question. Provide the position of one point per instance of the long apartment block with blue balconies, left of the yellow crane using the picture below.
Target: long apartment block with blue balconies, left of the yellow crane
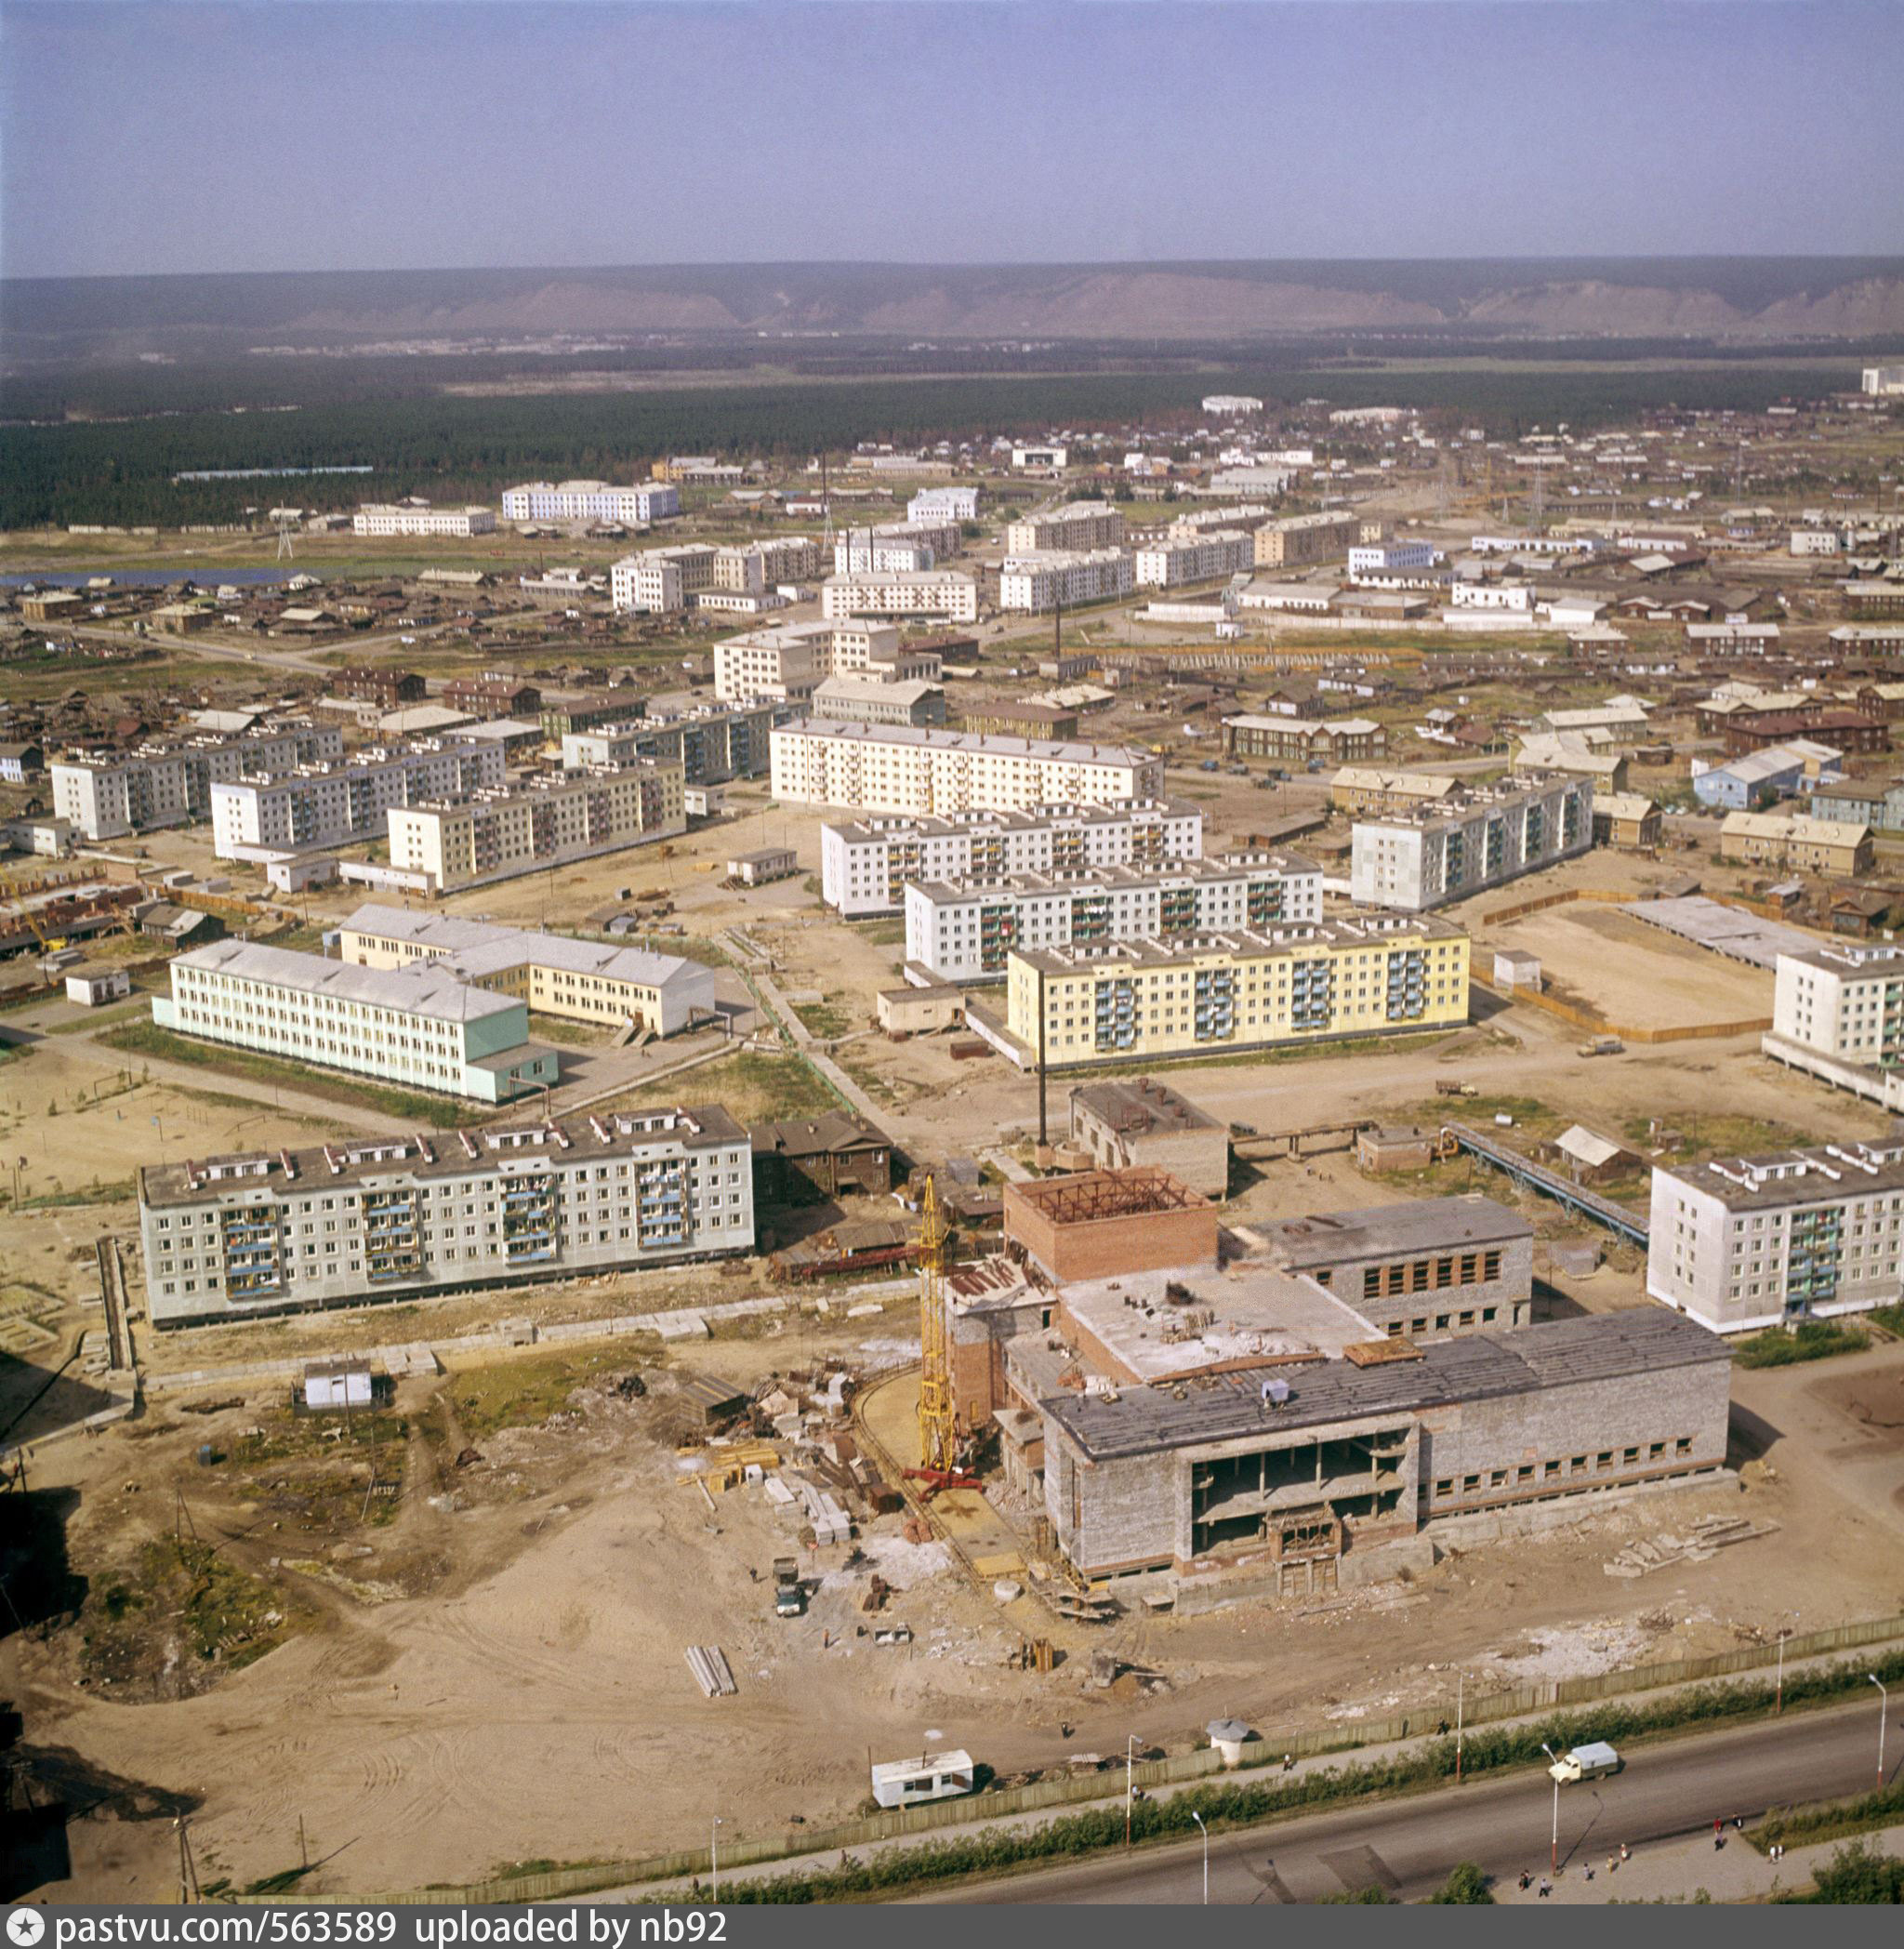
(406, 1217)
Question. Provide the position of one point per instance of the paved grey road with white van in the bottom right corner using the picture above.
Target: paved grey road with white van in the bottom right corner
(1505, 1823)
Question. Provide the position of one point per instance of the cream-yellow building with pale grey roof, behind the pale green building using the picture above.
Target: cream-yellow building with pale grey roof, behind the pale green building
(551, 974)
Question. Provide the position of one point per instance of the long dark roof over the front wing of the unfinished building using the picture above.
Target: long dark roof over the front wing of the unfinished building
(1225, 1408)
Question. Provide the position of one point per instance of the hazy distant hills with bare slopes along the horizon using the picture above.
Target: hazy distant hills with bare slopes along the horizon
(1636, 297)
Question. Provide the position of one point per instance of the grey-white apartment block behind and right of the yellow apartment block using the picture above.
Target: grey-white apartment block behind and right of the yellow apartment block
(1422, 860)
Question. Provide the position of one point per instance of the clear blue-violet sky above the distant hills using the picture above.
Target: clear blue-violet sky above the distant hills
(358, 135)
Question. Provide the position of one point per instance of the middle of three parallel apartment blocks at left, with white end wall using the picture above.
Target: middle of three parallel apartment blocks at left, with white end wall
(344, 800)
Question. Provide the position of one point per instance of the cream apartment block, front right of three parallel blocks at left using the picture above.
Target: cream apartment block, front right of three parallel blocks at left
(545, 822)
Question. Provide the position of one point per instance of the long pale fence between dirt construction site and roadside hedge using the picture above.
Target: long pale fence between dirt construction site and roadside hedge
(1517, 1702)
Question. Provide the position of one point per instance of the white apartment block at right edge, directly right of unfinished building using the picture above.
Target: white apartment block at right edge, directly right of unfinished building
(1755, 1242)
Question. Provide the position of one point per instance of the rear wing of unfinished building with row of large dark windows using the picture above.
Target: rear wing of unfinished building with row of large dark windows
(1424, 1270)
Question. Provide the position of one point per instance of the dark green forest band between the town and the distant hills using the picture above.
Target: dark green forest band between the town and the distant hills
(455, 447)
